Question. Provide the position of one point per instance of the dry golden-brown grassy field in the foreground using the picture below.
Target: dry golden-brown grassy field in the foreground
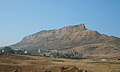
(19, 63)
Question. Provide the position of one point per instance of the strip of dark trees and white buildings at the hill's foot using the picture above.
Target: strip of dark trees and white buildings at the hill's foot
(46, 53)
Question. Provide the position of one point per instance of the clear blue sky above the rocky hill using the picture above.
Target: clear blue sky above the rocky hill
(19, 18)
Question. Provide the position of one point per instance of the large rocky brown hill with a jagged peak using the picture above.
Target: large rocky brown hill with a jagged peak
(76, 37)
